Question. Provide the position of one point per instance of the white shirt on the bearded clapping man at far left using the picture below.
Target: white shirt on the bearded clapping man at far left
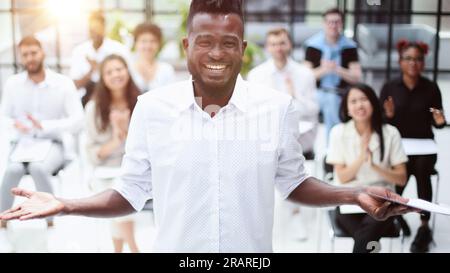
(54, 102)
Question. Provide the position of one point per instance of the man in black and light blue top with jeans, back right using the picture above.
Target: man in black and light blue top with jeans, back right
(334, 59)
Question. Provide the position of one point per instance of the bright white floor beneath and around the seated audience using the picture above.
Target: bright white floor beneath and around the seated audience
(78, 234)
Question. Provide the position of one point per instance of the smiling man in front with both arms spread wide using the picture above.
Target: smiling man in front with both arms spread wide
(210, 152)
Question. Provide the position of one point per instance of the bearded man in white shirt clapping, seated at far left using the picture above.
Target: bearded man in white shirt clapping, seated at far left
(38, 104)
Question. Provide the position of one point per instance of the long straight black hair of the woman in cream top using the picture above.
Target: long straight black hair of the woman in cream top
(377, 115)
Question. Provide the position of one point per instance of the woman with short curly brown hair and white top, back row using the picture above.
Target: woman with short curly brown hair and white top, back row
(148, 73)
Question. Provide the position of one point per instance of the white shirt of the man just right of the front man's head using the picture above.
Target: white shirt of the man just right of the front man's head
(304, 91)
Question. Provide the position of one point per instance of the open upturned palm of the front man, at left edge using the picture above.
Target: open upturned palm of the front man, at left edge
(38, 205)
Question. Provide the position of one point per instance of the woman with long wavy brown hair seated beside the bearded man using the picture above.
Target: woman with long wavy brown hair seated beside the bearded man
(107, 118)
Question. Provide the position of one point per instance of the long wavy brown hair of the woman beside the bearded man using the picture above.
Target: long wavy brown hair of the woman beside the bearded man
(103, 98)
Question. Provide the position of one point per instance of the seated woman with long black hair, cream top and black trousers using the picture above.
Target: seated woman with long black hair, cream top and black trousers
(364, 151)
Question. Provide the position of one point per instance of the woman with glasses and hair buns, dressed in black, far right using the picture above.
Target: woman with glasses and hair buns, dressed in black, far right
(413, 104)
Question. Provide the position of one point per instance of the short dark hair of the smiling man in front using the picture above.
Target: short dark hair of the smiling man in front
(215, 7)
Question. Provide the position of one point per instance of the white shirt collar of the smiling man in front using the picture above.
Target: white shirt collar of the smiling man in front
(238, 99)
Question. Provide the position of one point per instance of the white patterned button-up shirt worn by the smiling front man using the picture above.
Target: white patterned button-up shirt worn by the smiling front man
(212, 180)
